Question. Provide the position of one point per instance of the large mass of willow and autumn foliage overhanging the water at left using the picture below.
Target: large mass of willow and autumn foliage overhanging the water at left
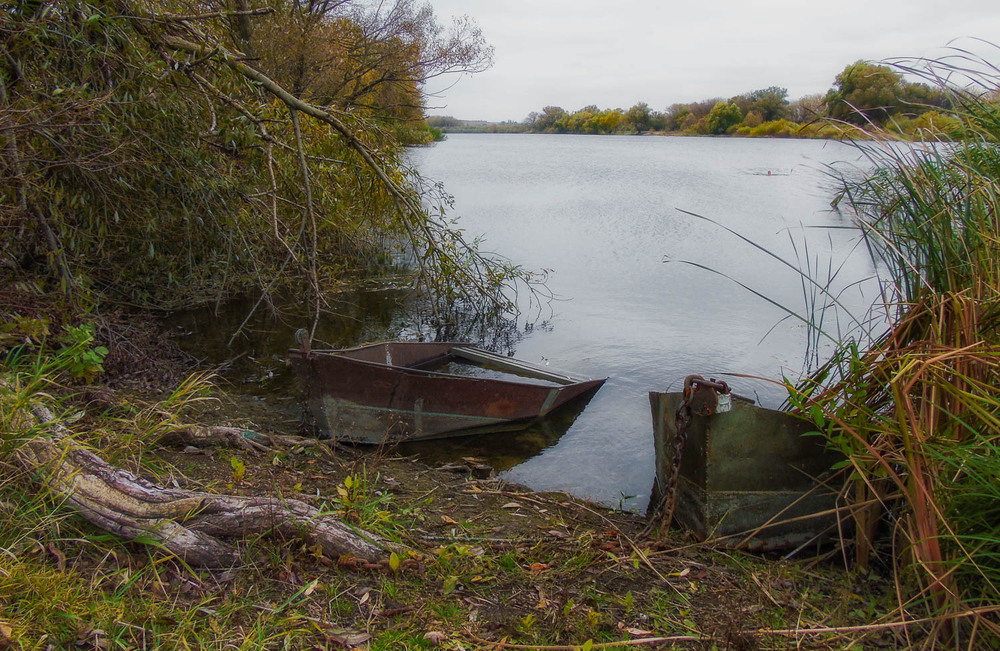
(165, 151)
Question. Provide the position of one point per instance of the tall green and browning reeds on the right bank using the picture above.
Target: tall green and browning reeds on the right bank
(917, 411)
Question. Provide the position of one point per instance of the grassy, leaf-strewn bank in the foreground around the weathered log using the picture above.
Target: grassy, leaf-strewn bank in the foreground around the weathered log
(487, 564)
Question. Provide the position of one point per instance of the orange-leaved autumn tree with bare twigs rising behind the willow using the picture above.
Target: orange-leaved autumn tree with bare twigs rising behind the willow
(355, 55)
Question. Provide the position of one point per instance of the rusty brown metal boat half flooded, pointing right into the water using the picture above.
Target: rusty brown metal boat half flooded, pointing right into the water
(412, 391)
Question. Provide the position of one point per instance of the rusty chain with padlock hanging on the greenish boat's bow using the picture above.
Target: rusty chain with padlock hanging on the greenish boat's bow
(701, 398)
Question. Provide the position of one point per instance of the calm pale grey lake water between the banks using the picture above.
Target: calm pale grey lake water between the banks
(609, 217)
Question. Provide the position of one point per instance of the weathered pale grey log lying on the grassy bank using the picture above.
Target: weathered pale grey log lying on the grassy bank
(189, 524)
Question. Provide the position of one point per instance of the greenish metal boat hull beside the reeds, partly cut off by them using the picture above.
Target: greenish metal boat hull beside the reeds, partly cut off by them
(749, 478)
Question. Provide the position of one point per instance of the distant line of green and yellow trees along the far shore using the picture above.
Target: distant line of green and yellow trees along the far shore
(863, 94)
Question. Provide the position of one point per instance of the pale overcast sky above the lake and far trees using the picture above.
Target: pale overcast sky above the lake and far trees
(572, 53)
